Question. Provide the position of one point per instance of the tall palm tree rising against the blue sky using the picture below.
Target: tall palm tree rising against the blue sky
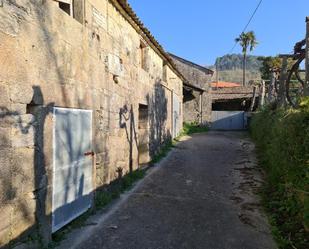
(246, 40)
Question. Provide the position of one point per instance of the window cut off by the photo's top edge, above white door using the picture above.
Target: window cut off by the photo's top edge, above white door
(74, 8)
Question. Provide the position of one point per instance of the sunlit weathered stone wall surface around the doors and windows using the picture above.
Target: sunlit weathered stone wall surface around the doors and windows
(50, 59)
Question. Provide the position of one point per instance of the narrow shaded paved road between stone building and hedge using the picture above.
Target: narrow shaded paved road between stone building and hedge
(202, 196)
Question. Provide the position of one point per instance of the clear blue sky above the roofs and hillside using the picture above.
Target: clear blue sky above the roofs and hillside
(201, 30)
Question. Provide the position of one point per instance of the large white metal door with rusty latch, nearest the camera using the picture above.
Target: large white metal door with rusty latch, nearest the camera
(72, 171)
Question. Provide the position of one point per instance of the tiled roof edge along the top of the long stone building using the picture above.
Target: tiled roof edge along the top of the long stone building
(126, 10)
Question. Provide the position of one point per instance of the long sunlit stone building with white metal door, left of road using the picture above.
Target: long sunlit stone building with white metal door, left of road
(86, 92)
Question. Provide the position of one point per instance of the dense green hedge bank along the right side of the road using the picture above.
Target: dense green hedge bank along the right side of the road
(282, 137)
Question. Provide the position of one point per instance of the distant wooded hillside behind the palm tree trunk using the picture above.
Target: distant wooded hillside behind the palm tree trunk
(230, 68)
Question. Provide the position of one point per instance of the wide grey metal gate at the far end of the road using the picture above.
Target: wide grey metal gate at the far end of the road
(227, 120)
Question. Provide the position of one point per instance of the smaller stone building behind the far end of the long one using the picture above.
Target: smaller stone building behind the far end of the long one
(197, 96)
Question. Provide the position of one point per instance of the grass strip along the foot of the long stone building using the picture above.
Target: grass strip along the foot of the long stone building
(111, 192)
